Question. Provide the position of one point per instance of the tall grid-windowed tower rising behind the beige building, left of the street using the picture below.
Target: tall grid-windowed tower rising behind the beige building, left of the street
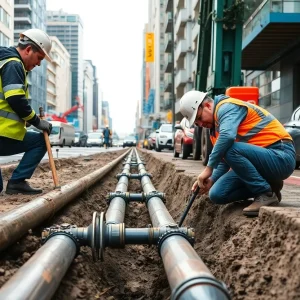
(69, 30)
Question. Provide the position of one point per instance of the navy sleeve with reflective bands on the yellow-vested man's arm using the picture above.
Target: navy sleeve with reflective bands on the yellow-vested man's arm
(13, 82)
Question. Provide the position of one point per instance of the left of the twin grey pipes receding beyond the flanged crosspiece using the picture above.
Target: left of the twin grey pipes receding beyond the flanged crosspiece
(115, 213)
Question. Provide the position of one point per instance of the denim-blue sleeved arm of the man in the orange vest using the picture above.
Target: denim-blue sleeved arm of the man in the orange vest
(229, 116)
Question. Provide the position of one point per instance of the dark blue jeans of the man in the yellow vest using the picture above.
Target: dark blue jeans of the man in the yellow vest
(34, 147)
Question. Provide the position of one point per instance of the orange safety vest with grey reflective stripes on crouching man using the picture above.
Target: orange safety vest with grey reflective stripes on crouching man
(258, 128)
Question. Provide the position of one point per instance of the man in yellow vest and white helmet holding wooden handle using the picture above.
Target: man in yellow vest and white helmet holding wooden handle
(34, 45)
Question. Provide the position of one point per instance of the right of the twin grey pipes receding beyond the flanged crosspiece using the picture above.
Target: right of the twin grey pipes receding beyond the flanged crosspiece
(159, 214)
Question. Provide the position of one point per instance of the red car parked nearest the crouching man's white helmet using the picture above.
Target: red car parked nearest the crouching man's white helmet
(183, 139)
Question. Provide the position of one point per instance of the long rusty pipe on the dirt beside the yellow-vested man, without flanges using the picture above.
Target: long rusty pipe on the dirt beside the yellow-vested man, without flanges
(15, 223)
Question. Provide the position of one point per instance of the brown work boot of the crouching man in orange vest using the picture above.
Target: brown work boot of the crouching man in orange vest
(266, 199)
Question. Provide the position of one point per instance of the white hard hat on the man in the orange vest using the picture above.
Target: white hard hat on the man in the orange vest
(189, 104)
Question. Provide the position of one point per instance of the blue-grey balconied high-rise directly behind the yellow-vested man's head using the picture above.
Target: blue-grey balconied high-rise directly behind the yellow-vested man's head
(32, 14)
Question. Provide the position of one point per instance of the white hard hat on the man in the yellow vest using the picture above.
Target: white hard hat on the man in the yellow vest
(39, 38)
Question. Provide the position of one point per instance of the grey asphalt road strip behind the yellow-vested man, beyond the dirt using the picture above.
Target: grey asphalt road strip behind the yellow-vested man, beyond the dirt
(61, 153)
